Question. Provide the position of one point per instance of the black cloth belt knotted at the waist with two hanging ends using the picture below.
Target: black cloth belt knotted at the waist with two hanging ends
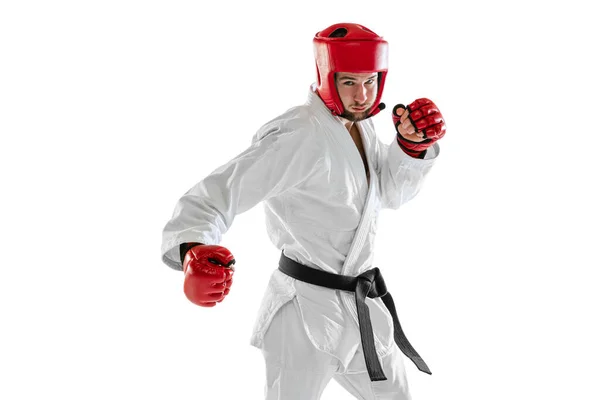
(369, 284)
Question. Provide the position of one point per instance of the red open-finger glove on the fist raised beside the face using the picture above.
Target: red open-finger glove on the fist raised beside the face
(425, 126)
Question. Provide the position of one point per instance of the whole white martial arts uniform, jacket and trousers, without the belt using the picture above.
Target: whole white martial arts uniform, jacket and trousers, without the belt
(322, 213)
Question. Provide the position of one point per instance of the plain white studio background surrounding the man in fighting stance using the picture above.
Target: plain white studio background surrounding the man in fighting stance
(110, 111)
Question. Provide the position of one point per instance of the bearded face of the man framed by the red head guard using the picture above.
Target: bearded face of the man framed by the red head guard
(357, 92)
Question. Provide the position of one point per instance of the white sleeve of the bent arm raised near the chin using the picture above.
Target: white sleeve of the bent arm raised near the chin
(400, 175)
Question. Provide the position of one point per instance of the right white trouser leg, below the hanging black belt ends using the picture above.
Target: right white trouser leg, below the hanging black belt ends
(357, 382)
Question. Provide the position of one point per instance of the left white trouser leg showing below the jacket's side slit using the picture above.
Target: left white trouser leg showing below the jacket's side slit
(296, 370)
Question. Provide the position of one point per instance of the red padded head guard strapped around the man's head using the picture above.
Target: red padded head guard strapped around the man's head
(348, 47)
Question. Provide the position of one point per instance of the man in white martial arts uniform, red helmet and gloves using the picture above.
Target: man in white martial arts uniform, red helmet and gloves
(323, 176)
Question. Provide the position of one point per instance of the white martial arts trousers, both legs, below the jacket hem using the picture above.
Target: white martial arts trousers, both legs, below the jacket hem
(297, 370)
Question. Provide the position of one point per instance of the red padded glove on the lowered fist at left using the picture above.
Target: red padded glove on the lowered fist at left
(208, 274)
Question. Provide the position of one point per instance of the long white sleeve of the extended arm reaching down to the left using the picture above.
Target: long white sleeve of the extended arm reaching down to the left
(277, 160)
